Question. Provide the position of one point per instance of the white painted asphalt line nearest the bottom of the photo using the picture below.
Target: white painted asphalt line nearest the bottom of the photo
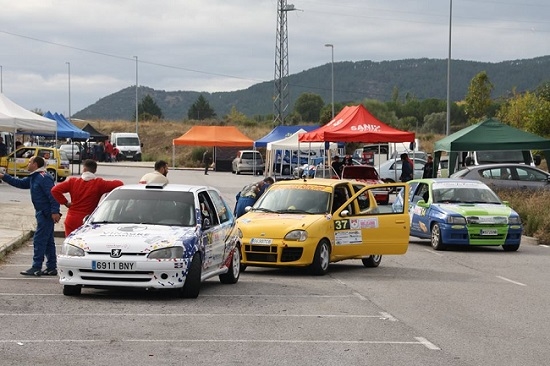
(421, 341)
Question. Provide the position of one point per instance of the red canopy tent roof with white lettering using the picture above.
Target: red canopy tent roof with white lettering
(356, 124)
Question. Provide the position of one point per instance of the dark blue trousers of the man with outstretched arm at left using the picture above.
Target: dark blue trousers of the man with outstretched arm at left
(43, 242)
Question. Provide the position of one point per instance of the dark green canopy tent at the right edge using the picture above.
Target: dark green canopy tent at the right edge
(489, 135)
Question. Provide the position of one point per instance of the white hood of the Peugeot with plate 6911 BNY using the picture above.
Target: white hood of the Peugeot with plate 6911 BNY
(132, 237)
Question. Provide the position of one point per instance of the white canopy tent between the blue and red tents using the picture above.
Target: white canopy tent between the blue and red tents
(292, 144)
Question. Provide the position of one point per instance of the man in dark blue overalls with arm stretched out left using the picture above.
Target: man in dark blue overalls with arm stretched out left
(47, 215)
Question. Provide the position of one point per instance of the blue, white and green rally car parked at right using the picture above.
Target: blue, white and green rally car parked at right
(460, 212)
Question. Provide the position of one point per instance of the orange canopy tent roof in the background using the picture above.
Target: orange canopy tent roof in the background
(218, 136)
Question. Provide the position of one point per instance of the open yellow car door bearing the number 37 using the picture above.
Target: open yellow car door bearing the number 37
(363, 228)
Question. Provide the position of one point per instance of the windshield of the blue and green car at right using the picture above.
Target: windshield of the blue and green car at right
(464, 194)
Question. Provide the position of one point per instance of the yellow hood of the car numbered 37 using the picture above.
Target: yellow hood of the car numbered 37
(276, 223)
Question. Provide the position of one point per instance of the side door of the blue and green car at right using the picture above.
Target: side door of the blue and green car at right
(420, 200)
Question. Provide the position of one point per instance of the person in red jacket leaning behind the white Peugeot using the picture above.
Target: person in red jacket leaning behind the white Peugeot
(85, 193)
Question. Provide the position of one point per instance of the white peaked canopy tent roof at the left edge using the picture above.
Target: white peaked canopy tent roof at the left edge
(15, 118)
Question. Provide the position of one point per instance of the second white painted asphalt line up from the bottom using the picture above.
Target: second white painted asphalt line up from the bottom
(193, 315)
